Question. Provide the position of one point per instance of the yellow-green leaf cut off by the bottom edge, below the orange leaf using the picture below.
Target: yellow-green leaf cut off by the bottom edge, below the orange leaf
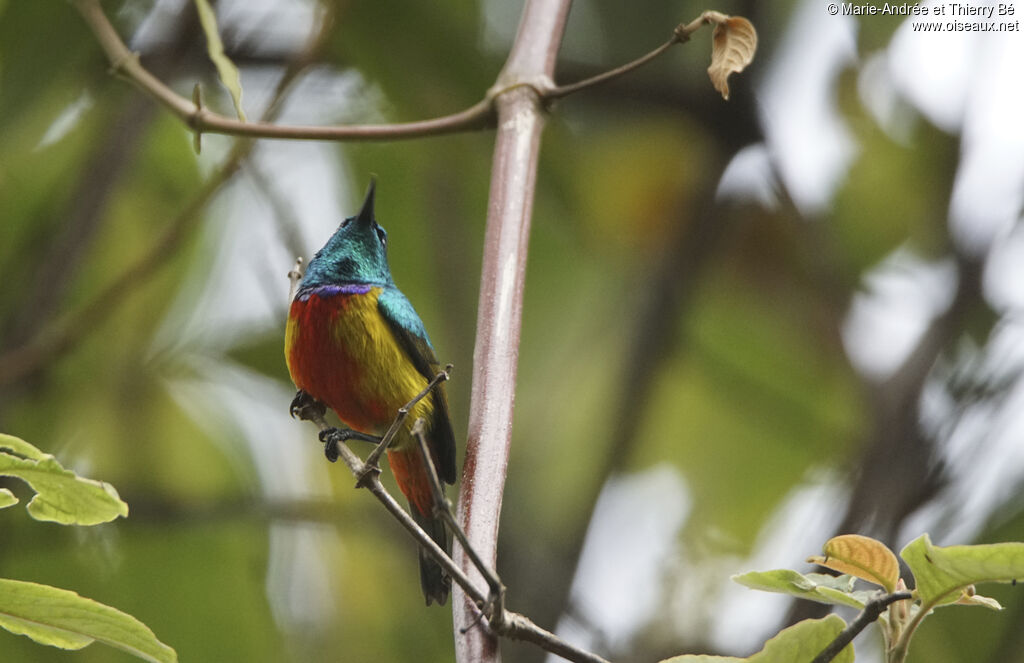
(799, 644)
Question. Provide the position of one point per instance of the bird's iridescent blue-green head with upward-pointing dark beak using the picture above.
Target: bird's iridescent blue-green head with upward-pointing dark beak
(357, 254)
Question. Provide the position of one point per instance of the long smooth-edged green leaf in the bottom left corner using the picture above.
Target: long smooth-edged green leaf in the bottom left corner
(61, 618)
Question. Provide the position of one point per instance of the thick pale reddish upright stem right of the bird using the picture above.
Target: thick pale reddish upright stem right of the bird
(521, 121)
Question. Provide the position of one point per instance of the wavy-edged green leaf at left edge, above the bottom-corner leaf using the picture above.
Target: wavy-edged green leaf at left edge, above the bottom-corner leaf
(62, 496)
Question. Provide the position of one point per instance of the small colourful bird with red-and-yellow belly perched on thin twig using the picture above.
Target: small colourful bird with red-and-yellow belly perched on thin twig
(355, 344)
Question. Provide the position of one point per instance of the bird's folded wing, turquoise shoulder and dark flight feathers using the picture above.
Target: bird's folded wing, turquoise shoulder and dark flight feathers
(408, 328)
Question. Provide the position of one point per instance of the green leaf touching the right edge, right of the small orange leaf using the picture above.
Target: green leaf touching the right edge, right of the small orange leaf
(944, 573)
